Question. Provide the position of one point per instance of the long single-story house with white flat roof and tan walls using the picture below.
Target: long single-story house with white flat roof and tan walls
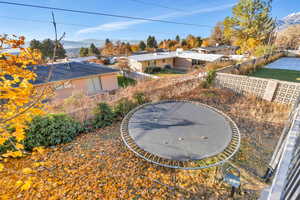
(175, 59)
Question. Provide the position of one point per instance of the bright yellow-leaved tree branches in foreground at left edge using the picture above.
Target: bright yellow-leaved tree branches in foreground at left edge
(20, 101)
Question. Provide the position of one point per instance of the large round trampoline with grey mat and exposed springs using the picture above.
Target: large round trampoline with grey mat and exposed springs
(180, 134)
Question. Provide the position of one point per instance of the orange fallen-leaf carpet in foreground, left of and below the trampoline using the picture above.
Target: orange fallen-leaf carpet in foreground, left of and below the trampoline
(98, 166)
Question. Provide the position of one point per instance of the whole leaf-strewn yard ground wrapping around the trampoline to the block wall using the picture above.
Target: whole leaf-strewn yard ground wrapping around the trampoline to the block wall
(97, 165)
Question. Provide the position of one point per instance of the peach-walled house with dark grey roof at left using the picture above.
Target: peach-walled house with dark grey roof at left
(77, 77)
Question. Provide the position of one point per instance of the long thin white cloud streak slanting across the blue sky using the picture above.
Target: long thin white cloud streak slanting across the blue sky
(113, 26)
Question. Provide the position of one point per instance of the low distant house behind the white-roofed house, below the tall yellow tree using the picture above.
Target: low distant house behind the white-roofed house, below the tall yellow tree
(218, 49)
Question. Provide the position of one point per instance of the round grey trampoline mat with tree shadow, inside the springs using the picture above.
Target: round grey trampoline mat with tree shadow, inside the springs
(179, 130)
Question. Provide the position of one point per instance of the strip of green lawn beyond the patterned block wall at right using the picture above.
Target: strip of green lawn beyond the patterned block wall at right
(279, 74)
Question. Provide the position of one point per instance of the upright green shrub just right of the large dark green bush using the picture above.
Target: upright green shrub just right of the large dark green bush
(104, 116)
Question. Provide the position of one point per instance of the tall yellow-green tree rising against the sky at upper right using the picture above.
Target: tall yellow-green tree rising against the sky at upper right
(250, 26)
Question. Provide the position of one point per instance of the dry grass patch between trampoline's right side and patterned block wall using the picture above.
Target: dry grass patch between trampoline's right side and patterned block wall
(260, 123)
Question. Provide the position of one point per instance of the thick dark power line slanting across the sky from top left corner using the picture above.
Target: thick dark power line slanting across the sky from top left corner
(100, 13)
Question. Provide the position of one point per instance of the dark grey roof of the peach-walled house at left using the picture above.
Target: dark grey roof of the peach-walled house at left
(69, 70)
